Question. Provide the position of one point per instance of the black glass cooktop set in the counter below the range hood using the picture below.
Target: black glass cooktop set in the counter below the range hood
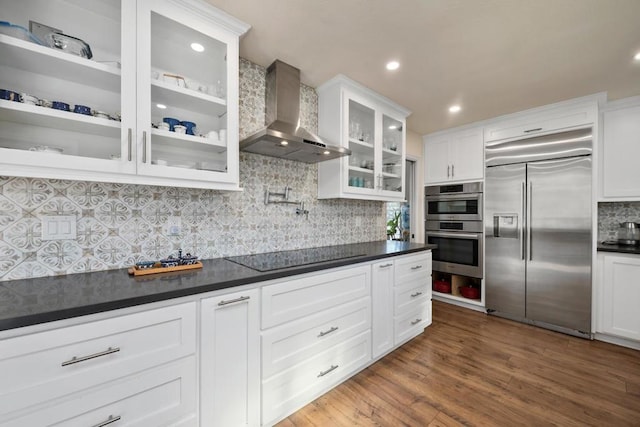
(285, 259)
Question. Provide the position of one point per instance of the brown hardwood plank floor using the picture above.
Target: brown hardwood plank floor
(468, 368)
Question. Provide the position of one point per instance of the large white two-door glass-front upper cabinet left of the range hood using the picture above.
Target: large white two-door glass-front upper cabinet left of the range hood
(141, 60)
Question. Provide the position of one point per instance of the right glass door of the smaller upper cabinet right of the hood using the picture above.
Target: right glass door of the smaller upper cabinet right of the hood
(392, 155)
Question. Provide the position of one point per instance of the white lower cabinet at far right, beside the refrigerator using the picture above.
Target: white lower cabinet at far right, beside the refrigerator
(619, 289)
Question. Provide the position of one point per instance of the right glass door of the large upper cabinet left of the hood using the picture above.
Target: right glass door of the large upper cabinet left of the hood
(182, 106)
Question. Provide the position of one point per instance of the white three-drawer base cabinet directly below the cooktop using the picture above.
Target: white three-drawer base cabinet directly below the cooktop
(316, 331)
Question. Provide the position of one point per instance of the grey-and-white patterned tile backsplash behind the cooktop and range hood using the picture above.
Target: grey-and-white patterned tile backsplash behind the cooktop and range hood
(119, 224)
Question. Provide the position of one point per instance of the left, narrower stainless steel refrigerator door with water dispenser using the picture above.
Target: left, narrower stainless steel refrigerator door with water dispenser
(504, 245)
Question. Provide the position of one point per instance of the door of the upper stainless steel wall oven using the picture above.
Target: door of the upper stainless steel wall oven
(454, 207)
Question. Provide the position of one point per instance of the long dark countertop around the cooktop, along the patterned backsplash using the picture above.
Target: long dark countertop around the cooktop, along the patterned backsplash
(32, 301)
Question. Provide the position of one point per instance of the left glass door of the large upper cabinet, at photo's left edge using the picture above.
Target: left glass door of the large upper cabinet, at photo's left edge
(61, 103)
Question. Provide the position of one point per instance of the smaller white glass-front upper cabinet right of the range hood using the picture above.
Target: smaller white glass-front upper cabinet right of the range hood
(373, 128)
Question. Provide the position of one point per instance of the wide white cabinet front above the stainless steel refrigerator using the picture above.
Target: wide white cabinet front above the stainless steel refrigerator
(540, 123)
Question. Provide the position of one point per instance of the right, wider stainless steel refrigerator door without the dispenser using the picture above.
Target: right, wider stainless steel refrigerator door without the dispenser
(559, 243)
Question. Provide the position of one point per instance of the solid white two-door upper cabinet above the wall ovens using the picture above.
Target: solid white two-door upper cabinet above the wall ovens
(456, 155)
